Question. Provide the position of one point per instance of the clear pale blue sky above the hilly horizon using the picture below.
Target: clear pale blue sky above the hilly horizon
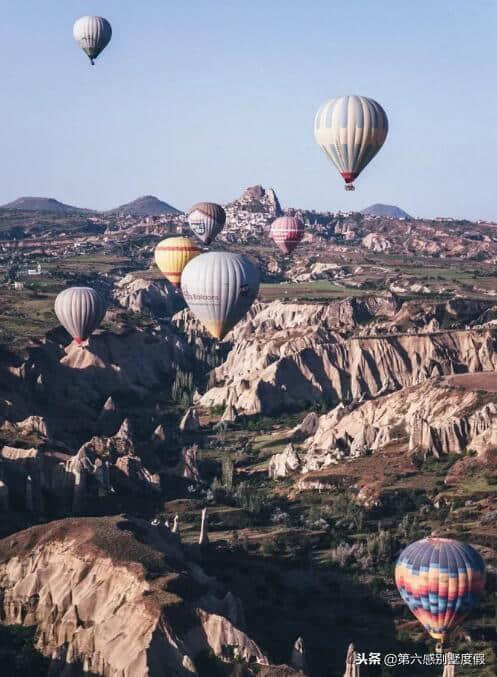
(197, 100)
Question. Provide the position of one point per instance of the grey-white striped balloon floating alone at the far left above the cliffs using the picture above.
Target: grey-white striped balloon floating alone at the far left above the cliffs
(80, 311)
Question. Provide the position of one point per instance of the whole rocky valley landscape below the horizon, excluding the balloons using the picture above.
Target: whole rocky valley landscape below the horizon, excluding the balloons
(173, 505)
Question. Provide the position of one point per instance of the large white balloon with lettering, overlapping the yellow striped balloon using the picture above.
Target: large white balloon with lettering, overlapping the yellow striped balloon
(219, 288)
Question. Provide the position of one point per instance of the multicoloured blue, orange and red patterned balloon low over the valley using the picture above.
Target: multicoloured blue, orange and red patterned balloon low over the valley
(440, 580)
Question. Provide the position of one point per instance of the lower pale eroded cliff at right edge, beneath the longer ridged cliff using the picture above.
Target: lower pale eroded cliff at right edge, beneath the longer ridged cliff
(440, 416)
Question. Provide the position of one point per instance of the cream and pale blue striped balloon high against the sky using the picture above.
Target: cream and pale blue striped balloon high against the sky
(351, 130)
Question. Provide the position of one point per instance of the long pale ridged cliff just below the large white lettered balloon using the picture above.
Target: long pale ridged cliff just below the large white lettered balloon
(269, 371)
